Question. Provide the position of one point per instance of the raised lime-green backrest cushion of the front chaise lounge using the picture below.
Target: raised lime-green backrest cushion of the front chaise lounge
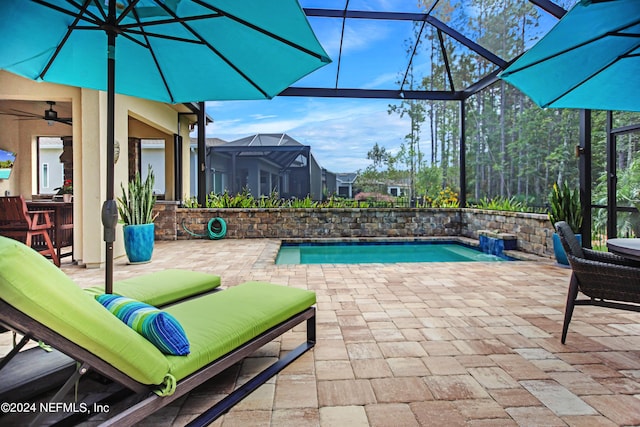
(32, 284)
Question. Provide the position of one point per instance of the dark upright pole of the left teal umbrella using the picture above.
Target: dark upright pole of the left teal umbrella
(109, 208)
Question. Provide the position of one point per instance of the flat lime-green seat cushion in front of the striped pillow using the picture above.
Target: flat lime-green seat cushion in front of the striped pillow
(220, 322)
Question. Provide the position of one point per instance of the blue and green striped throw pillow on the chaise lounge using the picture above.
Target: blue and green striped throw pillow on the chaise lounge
(160, 328)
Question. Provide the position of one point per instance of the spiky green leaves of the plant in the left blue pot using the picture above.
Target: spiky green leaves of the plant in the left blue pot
(137, 201)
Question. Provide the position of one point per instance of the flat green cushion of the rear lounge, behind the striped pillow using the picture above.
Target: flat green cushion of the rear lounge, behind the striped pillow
(162, 287)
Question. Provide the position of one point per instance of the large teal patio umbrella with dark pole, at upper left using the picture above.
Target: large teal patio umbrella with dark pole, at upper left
(166, 50)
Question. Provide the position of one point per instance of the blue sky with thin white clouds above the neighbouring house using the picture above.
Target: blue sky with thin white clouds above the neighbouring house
(339, 131)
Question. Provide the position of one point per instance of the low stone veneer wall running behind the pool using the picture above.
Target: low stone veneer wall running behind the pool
(533, 231)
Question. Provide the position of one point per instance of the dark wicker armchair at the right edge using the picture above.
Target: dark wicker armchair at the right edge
(607, 279)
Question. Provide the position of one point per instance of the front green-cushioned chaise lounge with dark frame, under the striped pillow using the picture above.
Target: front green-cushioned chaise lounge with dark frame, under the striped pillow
(39, 301)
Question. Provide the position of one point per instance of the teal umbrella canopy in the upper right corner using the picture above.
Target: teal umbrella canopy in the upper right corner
(590, 59)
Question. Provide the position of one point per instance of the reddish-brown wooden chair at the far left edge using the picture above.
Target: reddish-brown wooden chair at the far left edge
(19, 223)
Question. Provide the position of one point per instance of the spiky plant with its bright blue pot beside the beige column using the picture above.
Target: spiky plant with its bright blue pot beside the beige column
(136, 212)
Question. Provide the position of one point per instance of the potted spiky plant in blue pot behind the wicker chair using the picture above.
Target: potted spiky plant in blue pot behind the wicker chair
(565, 206)
